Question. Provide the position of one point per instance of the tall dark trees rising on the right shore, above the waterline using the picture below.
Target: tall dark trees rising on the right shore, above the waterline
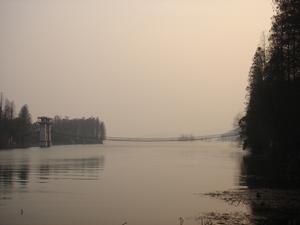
(272, 120)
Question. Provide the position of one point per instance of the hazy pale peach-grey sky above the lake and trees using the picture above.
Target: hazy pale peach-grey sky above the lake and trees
(145, 67)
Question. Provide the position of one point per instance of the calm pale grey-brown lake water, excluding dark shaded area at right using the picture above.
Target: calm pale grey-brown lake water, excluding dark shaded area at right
(114, 183)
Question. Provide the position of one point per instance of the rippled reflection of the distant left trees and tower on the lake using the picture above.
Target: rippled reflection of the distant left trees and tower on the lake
(13, 172)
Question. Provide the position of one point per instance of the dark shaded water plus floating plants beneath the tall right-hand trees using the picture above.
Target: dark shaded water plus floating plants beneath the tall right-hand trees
(271, 192)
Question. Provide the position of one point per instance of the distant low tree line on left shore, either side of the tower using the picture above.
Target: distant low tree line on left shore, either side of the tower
(18, 131)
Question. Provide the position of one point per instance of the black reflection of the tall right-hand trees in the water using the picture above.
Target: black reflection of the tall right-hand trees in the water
(273, 189)
